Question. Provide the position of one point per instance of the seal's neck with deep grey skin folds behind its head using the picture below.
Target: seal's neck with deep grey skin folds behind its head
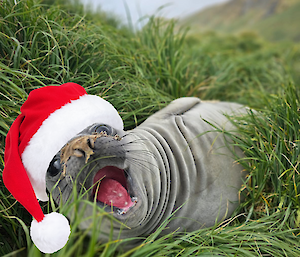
(150, 168)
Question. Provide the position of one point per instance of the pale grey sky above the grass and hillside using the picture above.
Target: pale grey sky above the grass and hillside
(141, 8)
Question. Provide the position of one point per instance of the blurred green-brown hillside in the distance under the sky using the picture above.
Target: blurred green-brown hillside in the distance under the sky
(273, 19)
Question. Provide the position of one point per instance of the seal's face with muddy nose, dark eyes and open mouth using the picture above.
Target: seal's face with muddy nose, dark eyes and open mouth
(95, 160)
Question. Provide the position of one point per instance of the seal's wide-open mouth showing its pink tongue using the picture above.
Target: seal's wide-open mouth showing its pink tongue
(110, 188)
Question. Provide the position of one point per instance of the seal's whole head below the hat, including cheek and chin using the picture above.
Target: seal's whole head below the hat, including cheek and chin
(102, 164)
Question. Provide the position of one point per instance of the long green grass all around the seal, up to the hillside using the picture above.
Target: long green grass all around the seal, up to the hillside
(140, 72)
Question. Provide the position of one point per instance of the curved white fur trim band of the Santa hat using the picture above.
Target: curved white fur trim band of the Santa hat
(61, 126)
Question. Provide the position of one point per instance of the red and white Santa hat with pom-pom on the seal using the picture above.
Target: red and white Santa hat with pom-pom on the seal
(49, 118)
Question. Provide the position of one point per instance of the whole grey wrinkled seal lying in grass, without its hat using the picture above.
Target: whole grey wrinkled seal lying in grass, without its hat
(174, 161)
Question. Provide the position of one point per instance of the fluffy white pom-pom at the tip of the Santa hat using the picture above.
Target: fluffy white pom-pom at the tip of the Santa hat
(51, 234)
